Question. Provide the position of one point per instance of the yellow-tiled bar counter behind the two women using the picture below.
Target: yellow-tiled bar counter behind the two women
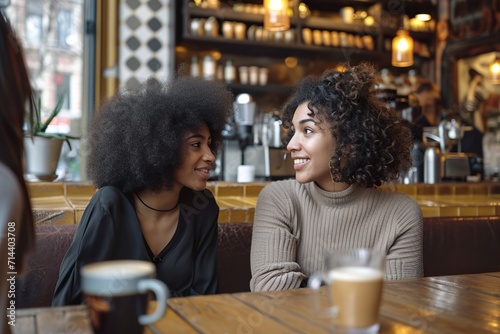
(64, 202)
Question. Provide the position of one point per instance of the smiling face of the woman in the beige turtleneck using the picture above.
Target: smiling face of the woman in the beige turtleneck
(311, 148)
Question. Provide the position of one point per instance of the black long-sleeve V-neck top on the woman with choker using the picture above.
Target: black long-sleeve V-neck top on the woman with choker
(110, 230)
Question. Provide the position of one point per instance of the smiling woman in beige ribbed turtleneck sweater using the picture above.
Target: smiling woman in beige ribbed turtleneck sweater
(344, 143)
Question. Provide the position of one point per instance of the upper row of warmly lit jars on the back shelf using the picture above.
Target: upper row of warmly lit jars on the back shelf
(230, 28)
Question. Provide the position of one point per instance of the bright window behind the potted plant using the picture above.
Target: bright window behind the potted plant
(52, 35)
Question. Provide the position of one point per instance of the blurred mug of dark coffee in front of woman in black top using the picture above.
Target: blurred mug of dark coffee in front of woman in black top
(116, 293)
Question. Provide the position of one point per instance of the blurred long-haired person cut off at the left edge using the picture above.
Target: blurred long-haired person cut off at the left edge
(16, 221)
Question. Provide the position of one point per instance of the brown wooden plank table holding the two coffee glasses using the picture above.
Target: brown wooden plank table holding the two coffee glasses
(448, 304)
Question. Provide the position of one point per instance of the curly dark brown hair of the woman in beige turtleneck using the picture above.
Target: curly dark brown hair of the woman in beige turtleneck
(372, 143)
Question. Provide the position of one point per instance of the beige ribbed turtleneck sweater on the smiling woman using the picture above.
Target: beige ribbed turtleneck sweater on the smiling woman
(296, 224)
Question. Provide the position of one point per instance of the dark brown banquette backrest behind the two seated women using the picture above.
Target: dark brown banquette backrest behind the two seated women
(452, 245)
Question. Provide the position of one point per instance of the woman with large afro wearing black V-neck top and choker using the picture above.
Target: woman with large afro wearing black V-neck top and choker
(150, 156)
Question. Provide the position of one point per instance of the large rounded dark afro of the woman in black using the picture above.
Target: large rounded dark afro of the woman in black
(136, 137)
